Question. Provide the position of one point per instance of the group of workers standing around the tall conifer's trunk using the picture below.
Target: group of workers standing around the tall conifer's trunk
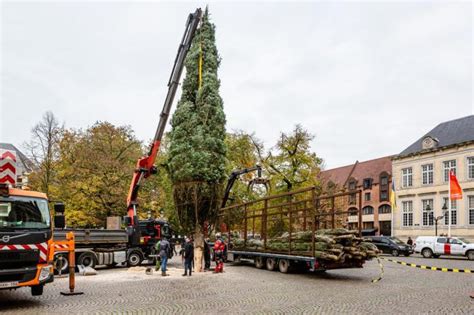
(164, 249)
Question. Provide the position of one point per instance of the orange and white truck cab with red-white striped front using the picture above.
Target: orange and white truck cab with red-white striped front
(25, 240)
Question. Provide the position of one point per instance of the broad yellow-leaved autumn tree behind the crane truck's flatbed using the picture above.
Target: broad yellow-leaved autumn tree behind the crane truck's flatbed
(94, 172)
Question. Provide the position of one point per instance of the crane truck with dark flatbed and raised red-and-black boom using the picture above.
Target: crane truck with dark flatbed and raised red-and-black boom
(136, 243)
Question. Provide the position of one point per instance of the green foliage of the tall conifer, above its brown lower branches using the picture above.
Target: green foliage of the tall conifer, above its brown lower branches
(197, 148)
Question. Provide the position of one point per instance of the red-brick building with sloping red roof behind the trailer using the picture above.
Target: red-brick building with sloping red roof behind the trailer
(373, 178)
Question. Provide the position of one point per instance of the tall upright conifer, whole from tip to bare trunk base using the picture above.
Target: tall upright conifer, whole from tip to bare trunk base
(197, 148)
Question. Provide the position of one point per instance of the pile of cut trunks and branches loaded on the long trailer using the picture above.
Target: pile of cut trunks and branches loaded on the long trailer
(336, 245)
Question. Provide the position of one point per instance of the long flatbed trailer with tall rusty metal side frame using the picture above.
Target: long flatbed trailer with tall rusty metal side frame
(301, 211)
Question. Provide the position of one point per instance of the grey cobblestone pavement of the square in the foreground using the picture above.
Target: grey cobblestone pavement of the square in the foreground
(245, 289)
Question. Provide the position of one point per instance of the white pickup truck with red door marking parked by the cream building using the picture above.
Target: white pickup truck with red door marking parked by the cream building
(434, 246)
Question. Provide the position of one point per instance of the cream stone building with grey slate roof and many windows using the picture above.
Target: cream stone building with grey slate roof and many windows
(421, 176)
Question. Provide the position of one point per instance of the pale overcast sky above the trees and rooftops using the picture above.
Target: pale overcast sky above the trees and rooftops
(366, 78)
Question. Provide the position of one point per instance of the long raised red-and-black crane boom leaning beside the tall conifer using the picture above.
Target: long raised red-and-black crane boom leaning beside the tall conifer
(145, 165)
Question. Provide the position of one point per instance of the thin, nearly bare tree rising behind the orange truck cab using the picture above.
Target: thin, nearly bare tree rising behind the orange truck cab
(43, 150)
